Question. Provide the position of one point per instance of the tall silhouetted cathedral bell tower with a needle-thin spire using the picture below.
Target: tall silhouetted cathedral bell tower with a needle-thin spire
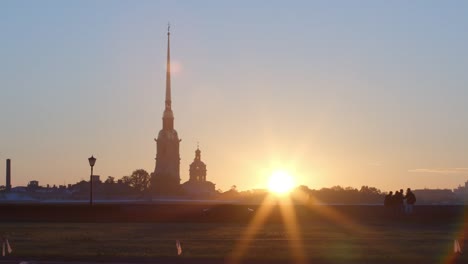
(165, 179)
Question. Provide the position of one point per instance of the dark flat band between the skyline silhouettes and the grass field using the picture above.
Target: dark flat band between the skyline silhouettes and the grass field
(210, 212)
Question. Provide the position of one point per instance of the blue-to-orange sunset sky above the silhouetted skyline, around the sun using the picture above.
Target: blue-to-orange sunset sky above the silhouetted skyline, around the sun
(347, 93)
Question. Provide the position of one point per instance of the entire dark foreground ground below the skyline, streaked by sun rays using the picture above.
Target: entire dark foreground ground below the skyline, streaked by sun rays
(232, 233)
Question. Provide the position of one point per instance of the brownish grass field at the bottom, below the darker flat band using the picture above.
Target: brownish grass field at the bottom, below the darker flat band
(321, 242)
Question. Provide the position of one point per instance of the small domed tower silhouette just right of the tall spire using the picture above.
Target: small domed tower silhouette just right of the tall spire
(197, 185)
